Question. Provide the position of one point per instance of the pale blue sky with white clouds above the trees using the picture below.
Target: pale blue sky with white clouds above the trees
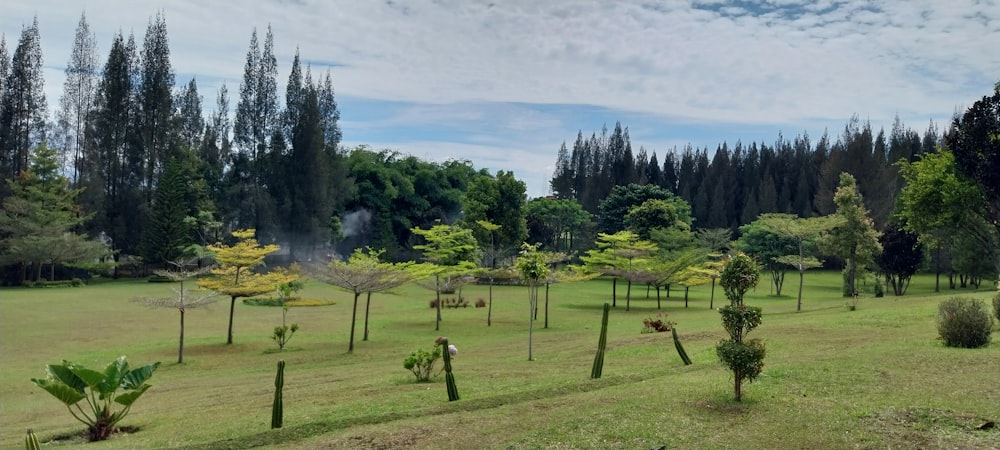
(504, 83)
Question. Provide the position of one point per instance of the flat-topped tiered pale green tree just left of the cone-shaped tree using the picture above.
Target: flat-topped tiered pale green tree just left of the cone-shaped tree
(804, 233)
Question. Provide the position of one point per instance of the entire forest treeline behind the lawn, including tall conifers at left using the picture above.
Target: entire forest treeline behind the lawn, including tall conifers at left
(130, 167)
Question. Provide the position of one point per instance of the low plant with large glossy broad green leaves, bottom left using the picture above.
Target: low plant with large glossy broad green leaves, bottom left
(72, 383)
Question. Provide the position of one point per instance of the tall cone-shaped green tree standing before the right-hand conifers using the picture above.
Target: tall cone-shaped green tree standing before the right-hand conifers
(854, 239)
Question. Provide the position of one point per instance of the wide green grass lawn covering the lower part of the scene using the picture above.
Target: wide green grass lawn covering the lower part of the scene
(876, 377)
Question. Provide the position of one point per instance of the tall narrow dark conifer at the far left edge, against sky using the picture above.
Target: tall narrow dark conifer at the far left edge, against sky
(23, 109)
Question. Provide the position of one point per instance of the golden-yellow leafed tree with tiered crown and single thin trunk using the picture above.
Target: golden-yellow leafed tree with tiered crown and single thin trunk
(235, 276)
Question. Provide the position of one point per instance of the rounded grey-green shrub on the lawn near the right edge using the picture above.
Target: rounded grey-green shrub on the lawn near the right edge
(964, 322)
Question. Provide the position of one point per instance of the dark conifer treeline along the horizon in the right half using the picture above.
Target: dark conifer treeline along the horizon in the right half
(732, 185)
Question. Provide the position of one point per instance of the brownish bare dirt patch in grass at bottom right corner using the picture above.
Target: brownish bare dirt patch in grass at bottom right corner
(933, 428)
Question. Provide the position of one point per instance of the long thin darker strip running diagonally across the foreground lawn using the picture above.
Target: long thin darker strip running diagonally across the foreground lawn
(304, 431)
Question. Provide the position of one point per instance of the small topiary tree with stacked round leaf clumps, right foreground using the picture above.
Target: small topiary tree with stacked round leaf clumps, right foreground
(744, 357)
